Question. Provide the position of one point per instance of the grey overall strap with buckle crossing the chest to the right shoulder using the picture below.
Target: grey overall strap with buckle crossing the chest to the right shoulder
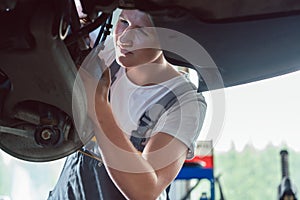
(151, 116)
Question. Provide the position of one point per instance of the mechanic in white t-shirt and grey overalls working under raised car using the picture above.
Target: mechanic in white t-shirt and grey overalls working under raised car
(144, 77)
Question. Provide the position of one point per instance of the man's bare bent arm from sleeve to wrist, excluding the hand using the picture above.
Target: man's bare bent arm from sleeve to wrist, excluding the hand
(138, 176)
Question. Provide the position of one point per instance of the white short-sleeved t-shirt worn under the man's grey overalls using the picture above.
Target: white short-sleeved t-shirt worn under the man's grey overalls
(183, 120)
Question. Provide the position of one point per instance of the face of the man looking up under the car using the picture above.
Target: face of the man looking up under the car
(135, 41)
